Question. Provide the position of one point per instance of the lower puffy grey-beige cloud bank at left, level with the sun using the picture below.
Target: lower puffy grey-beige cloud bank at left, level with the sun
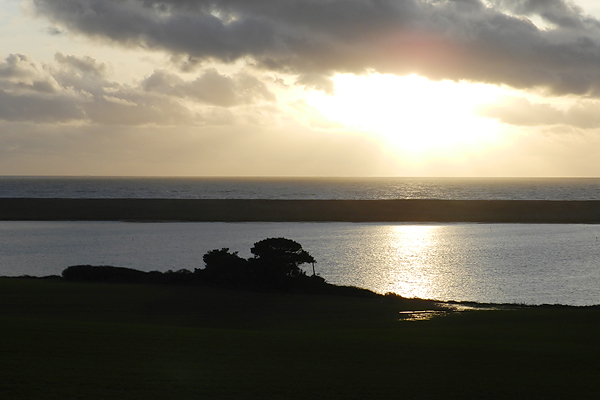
(79, 89)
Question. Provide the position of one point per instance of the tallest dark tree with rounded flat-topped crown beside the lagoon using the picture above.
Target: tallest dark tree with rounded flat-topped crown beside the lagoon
(279, 257)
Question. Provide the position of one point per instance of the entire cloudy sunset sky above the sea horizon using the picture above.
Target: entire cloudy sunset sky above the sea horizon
(444, 88)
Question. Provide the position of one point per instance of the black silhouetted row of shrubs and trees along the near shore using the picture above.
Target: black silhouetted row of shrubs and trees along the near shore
(275, 266)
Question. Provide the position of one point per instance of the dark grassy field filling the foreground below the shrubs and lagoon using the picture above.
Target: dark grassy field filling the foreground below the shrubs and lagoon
(61, 340)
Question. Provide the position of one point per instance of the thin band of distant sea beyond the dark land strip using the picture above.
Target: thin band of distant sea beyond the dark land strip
(303, 188)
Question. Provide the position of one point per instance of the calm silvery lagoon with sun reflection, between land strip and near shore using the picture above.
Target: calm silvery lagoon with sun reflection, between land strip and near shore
(531, 264)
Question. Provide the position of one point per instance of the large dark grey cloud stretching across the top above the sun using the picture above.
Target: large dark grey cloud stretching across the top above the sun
(491, 41)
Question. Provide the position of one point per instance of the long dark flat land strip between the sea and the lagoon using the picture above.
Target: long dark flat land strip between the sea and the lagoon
(240, 210)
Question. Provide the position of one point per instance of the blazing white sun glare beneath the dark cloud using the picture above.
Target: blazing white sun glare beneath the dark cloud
(412, 114)
